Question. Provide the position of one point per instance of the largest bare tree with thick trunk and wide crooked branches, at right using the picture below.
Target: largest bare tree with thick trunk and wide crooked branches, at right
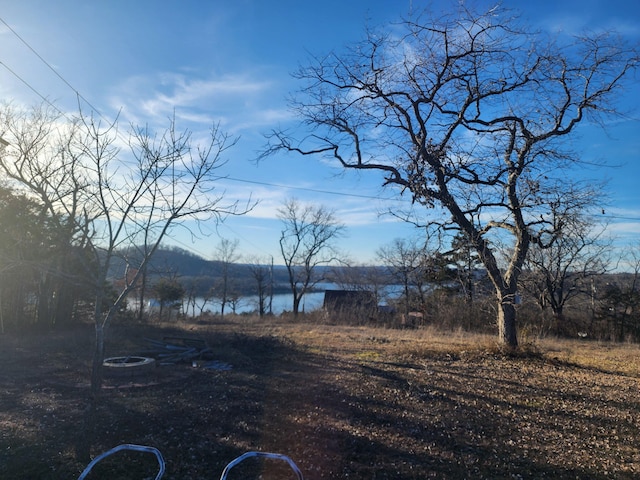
(469, 113)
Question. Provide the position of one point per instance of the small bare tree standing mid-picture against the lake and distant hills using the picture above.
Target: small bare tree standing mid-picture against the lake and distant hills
(307, 242)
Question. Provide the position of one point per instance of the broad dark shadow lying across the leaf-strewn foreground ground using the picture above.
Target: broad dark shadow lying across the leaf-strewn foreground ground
(334, 416)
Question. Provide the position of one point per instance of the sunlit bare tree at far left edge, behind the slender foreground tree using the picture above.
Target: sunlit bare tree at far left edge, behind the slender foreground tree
(30, 135)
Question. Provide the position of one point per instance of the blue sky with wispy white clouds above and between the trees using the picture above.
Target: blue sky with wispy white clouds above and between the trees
(231, 62)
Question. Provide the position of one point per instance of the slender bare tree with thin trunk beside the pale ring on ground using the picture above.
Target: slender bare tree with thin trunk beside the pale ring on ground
(107, 201)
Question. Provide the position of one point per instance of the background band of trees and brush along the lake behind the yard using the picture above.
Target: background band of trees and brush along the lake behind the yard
(569, 288)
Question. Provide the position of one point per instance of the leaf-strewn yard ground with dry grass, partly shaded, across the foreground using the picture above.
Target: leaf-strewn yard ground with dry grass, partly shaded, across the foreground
(342, 402)
